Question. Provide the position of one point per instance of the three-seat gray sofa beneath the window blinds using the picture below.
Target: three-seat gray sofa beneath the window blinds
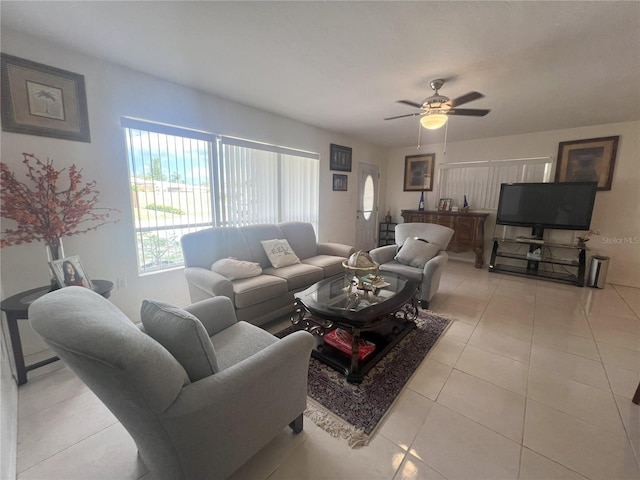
(269, 295)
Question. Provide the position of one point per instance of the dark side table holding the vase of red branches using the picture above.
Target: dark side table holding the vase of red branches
(17, 308)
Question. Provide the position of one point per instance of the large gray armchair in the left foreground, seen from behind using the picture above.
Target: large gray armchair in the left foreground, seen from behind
(201, 397)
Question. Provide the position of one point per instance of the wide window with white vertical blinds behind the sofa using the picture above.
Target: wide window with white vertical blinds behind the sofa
(185, 180)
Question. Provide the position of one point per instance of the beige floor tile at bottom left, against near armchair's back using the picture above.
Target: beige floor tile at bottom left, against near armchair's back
(108, 454)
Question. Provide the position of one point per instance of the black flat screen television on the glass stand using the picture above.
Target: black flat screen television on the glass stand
(564, 206)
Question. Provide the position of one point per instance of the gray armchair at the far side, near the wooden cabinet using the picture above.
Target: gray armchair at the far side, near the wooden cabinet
(424, 266)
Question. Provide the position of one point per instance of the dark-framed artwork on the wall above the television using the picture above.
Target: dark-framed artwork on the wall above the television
(590, 160)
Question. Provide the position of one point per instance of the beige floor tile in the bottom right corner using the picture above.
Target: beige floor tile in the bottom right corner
(580, 446)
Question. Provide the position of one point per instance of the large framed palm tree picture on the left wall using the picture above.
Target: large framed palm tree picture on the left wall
(41, 100)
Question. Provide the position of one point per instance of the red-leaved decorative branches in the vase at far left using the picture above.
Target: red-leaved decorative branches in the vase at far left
(46, 210)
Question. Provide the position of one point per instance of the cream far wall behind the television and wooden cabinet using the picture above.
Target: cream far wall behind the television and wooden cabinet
(616, 213)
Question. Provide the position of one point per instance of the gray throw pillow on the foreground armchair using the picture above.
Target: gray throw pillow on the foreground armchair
(183, 335)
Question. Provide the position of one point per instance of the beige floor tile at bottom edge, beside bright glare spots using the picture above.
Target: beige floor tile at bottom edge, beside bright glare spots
(457, 448)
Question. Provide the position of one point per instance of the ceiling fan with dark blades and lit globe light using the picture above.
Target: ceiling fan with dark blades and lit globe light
(435, 109)
